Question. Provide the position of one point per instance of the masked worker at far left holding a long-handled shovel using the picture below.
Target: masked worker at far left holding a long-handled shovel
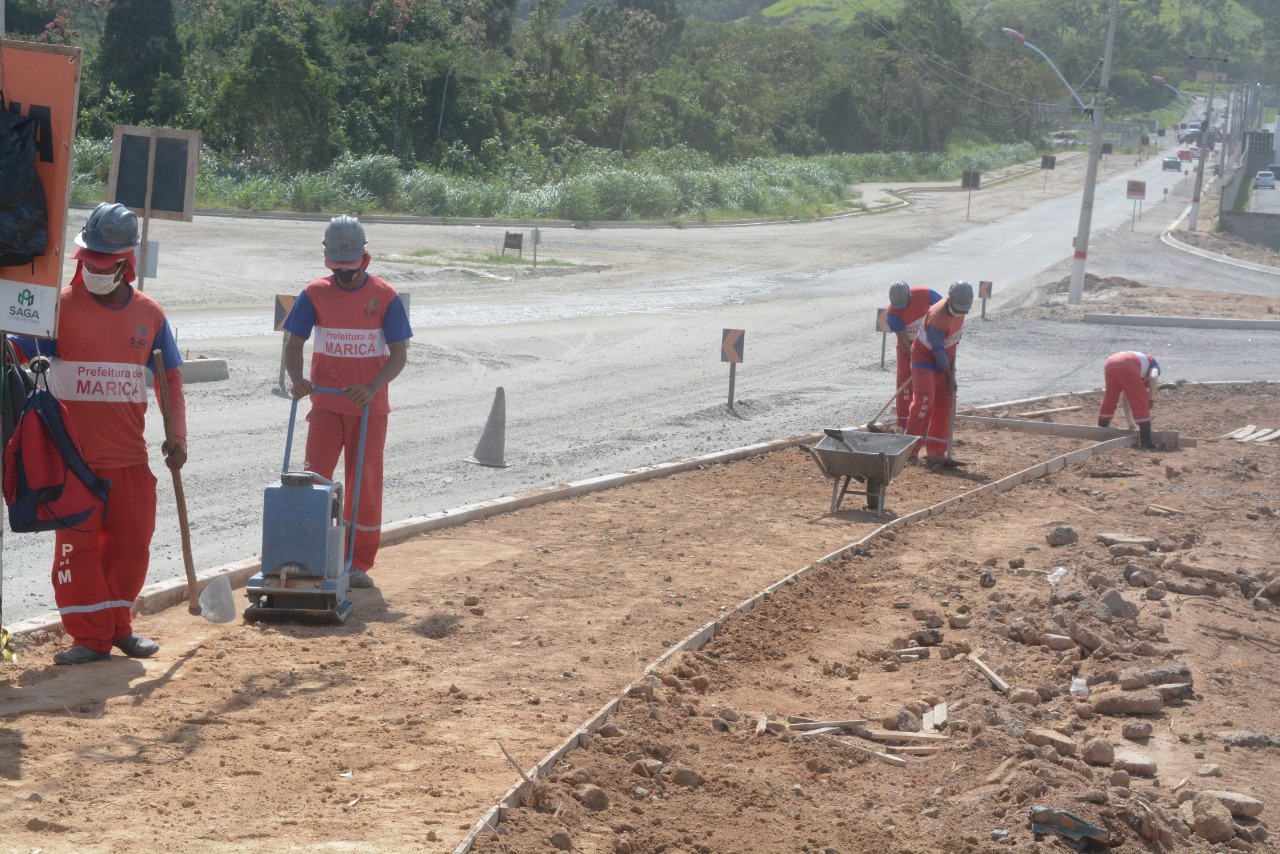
(107, 334)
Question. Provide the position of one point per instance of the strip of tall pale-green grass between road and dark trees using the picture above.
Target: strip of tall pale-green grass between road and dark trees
(582, 185)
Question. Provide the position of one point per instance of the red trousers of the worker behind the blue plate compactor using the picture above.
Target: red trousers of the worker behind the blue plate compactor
(333, 435)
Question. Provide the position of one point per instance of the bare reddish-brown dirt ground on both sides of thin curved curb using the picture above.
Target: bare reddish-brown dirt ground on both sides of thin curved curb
(385, 734)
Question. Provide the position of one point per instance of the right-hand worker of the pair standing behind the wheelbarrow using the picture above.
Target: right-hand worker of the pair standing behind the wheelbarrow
(934, 375)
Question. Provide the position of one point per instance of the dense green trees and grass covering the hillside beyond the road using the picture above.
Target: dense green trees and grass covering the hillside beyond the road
(555, 108)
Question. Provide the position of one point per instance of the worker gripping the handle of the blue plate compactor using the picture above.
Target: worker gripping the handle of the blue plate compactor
(362, 344)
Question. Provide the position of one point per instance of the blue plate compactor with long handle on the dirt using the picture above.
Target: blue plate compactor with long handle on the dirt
(307, 549)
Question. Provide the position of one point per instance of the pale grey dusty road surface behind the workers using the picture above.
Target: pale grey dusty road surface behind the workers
(615, 362)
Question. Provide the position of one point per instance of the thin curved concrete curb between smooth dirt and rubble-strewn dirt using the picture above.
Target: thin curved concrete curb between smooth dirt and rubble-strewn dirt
(698, 640)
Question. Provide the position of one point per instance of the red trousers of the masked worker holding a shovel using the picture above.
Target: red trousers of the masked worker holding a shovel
(99, 574)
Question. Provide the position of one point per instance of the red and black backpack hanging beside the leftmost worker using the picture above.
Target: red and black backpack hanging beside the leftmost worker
(47, 482)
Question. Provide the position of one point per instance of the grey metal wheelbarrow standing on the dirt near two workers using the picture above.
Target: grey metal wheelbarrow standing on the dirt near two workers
(871, 459)
